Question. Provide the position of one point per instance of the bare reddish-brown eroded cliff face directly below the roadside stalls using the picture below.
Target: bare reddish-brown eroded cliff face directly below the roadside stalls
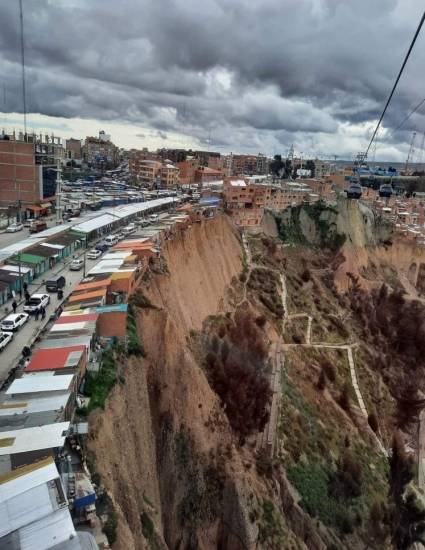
(163, 446)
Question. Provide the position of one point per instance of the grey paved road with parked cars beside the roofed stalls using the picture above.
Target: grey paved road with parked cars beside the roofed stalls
(25, 336)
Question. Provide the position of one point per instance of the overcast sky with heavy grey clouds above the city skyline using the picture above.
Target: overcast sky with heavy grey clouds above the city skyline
(229, 75)
